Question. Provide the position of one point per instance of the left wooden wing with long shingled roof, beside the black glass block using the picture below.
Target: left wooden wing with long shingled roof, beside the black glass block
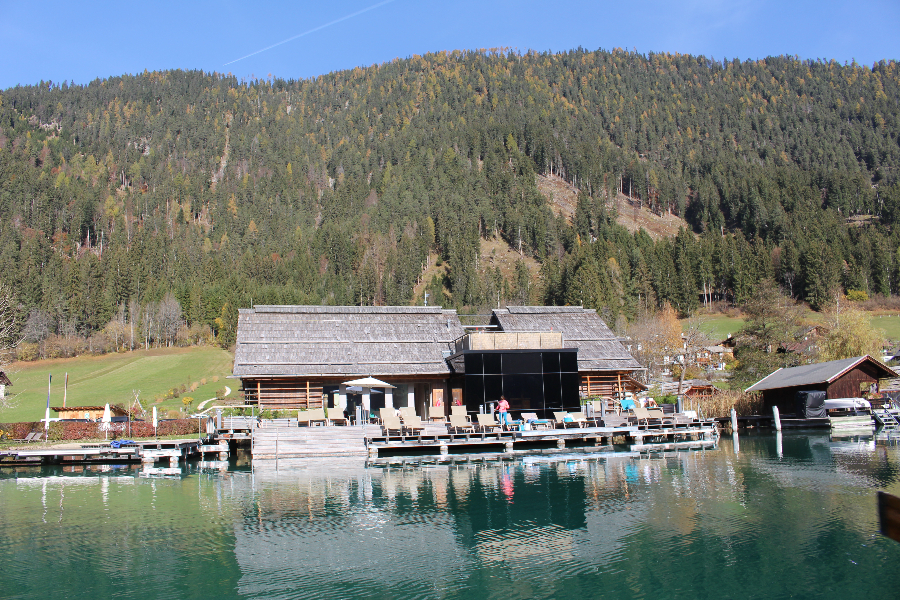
(291, 357)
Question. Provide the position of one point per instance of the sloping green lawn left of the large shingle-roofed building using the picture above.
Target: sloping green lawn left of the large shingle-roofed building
(96, 380)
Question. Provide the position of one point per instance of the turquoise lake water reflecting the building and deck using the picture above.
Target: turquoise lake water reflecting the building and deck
(795, 520)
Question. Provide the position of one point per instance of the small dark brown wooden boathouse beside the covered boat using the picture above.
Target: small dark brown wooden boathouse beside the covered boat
(847, 378)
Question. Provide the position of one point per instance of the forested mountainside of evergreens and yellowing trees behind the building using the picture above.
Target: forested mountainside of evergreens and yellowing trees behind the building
(335, 189)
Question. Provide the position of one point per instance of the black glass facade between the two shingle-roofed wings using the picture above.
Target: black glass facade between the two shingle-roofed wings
(532, 380)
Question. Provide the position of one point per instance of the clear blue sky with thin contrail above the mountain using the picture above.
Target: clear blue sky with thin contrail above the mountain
(81, 41)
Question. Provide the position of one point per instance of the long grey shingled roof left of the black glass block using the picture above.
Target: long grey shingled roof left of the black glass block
(344, 340)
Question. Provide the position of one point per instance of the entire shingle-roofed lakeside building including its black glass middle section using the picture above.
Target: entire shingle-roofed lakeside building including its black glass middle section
(541, 358)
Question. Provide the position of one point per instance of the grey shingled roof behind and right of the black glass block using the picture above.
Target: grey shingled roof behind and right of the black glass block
(598, 347)
